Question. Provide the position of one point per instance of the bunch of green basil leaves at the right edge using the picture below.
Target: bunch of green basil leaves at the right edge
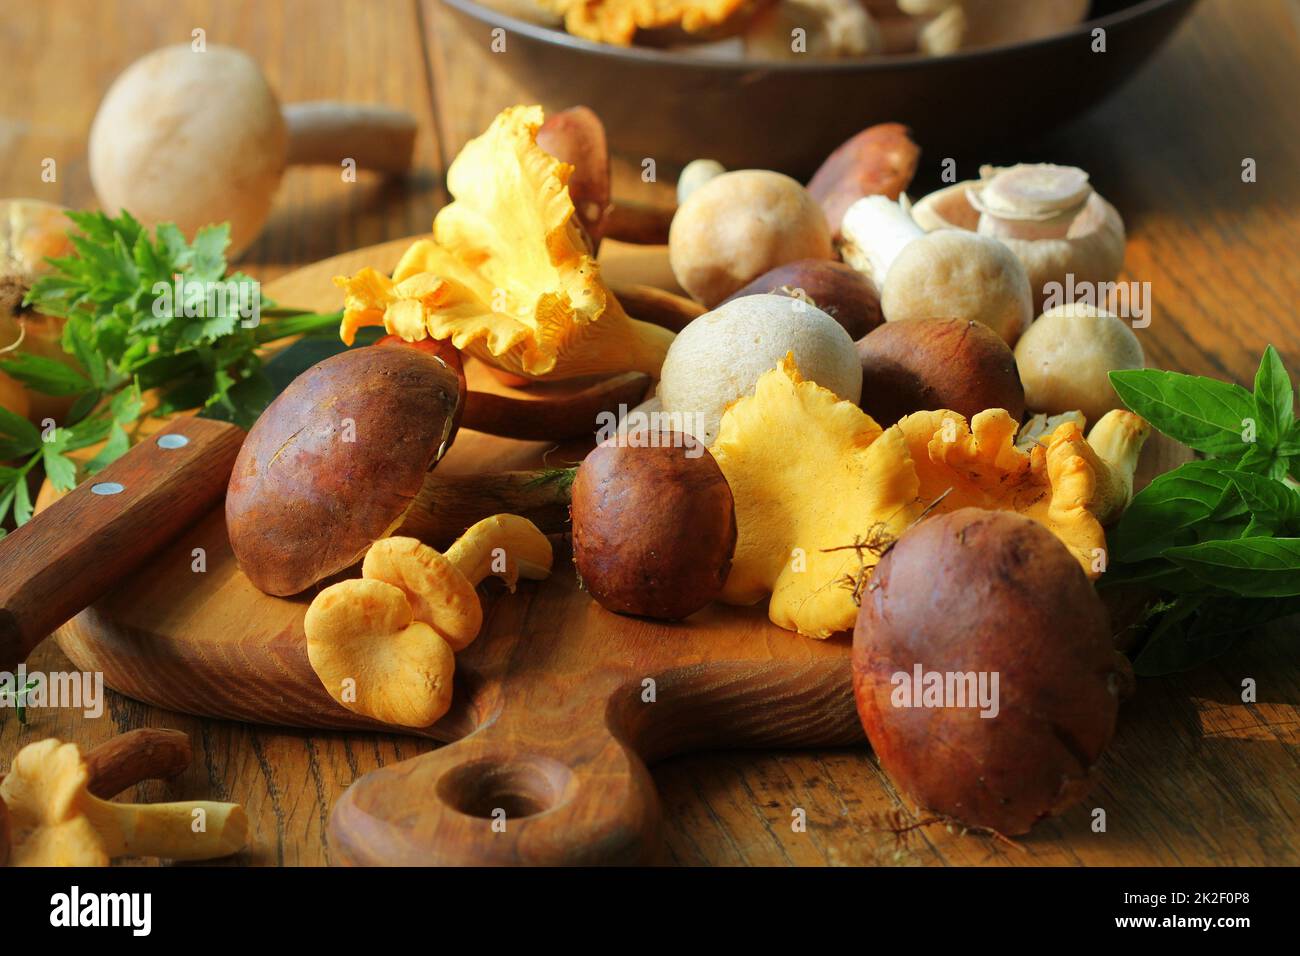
(1219, 538)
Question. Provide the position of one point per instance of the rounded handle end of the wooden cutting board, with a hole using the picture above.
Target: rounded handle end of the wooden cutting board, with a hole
(540, 793)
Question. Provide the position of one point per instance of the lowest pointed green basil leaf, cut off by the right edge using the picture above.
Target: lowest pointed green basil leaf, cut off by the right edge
(1249, 566)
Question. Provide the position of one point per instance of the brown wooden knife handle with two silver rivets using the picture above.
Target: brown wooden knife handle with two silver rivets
(76, 551)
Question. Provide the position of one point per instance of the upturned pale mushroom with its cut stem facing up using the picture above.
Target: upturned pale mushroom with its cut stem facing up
(1064, 233)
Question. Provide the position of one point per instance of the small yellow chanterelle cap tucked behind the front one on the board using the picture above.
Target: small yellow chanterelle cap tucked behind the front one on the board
(440, 596)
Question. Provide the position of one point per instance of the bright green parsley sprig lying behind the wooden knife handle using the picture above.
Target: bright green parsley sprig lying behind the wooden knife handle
(131, 338)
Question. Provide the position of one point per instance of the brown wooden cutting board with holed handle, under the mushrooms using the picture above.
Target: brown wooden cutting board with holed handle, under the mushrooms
(560, 706)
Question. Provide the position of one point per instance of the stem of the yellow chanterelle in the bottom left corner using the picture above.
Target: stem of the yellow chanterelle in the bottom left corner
(171, 832)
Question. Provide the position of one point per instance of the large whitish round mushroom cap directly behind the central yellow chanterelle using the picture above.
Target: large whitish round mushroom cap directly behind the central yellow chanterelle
(721, 356)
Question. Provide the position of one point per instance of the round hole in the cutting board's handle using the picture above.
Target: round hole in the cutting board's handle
(522, 786)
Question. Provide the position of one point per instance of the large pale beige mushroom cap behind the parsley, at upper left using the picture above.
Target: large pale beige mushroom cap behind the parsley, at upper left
(190, 139)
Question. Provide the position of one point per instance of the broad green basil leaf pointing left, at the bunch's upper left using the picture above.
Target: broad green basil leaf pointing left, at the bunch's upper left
(1204, 414)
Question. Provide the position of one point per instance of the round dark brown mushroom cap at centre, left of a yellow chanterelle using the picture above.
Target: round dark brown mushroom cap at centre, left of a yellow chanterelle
(655, 526)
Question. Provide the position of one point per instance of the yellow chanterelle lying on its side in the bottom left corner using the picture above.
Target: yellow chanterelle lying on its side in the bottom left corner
(55, 821)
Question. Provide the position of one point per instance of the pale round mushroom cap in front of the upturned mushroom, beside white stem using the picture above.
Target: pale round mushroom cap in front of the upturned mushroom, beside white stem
(959, 275)
